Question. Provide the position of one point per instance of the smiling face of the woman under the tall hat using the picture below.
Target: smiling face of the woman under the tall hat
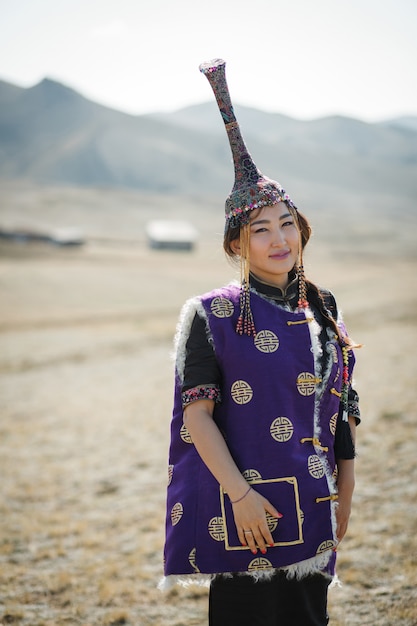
(273, 244)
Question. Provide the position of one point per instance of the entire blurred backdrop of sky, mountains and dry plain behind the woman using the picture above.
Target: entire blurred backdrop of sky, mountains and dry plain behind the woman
(114, 167)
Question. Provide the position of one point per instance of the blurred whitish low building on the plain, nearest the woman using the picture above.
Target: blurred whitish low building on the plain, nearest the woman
(171, 235)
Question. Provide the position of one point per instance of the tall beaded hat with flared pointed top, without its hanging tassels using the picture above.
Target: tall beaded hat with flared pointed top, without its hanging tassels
(251, 189)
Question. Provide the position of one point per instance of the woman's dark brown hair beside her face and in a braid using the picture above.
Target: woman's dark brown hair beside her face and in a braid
(314, 294)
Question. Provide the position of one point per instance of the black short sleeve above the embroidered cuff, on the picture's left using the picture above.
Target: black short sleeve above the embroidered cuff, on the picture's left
(201, 367)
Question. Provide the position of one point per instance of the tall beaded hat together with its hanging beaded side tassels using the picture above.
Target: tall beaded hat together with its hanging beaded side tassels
(251, 190)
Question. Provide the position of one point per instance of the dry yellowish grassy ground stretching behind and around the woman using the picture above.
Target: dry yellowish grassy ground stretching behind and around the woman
(85, 399)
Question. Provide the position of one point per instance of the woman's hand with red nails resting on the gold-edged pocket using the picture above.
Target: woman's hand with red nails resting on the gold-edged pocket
(251, 523)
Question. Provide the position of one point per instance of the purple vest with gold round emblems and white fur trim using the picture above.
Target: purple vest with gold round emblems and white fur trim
(278, 416)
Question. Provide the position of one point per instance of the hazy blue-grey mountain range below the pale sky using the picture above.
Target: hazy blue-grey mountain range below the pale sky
(51, 134)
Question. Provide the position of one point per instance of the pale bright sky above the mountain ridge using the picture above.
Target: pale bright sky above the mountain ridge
(303, 58)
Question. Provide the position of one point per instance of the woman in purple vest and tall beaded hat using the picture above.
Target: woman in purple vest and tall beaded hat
(262, 436)
